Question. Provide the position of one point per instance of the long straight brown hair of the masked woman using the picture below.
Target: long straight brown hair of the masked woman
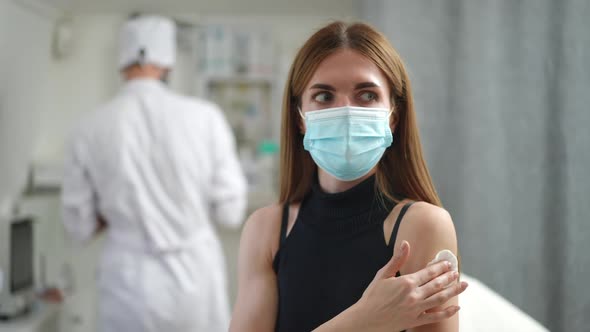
(402, 171)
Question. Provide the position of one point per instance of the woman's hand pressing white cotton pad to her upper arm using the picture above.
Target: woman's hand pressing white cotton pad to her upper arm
(396, 303)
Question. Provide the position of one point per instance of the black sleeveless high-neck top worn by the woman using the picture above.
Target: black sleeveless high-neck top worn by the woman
(331, 255)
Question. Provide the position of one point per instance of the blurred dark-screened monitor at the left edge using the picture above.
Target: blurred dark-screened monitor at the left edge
(17, 266)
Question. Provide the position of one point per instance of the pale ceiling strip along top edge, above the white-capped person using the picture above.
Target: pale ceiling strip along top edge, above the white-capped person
(336, 8)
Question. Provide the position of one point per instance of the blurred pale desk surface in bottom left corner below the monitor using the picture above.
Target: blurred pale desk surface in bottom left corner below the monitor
(44, 317)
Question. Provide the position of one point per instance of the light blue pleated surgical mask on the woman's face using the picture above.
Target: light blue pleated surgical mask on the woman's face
(347, 142)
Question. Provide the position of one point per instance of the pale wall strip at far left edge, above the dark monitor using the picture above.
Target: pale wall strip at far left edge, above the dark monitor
(24, 90)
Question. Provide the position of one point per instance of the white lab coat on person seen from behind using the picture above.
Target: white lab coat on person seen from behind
(159, 167)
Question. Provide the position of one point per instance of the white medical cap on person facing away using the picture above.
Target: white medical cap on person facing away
(148, 39)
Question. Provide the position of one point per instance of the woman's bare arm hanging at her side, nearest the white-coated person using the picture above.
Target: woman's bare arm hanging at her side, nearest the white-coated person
(257, 299)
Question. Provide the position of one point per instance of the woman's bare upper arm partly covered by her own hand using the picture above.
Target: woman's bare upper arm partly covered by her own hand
(429, 229)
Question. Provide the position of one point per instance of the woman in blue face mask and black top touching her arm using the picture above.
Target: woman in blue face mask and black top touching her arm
(351, 167)
